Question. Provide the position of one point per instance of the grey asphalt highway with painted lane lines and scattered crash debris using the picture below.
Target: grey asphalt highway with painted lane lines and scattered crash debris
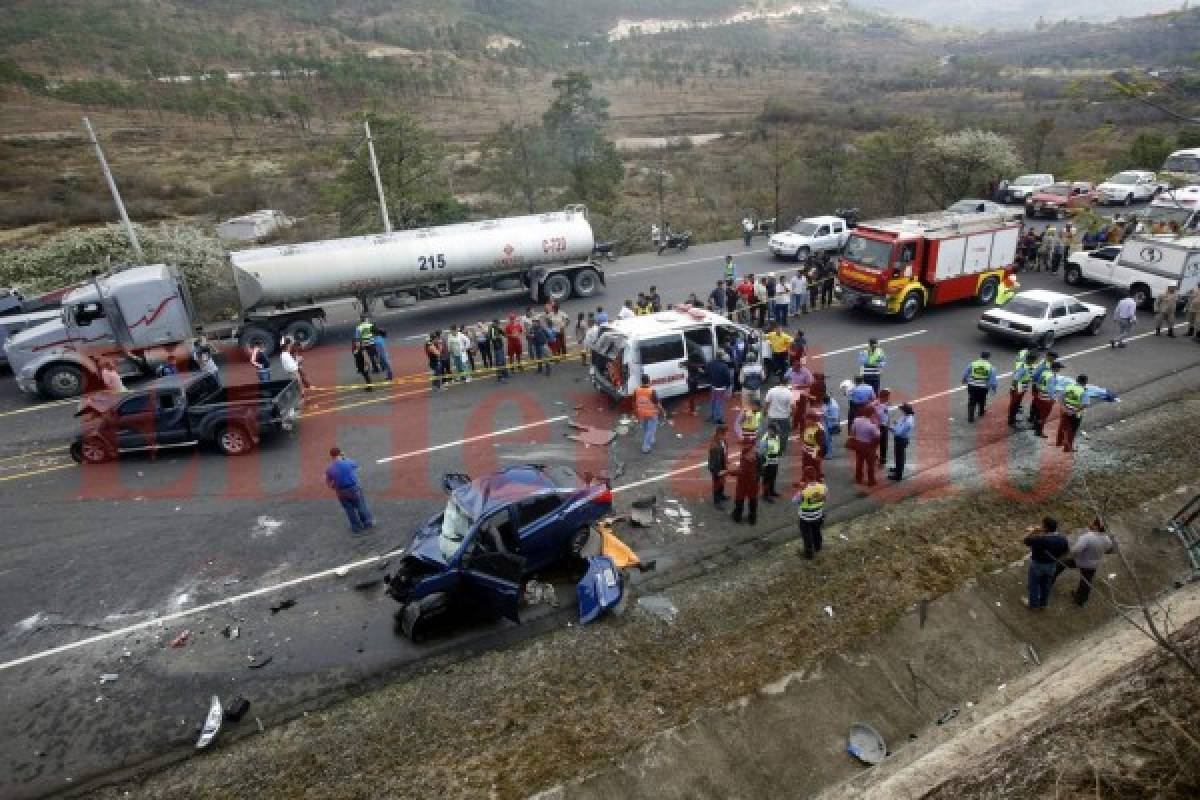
(105, 567)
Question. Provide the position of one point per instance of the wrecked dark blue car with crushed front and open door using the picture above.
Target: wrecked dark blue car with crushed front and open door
(495, 533)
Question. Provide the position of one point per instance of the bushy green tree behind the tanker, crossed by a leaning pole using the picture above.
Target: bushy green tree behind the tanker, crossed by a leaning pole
(411, 171)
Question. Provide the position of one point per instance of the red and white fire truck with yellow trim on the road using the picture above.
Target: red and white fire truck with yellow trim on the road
(899, 267)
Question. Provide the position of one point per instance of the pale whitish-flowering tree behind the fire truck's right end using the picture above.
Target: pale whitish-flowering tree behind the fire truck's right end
(958, 165)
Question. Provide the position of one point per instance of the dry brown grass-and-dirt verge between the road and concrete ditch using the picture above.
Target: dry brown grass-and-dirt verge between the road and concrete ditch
(508, 724)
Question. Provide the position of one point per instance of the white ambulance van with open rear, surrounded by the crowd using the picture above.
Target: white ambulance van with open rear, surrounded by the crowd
(663, 346)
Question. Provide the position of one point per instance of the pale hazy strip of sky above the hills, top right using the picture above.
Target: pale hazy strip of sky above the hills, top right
(1013, 15)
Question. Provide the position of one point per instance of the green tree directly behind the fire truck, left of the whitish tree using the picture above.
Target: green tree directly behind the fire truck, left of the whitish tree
(892, 161)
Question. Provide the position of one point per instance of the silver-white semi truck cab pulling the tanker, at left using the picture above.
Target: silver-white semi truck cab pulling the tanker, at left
(139, 318)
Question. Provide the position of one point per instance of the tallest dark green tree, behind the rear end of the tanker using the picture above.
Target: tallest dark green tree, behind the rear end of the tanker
(574, 127)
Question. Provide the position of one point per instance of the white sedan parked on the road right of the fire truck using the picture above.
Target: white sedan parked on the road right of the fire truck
(1040, 317)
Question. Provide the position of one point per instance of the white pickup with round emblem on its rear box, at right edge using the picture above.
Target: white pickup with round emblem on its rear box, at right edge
(1143, 266)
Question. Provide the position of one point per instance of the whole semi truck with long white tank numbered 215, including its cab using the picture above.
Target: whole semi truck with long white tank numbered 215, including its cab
(143, 317)
